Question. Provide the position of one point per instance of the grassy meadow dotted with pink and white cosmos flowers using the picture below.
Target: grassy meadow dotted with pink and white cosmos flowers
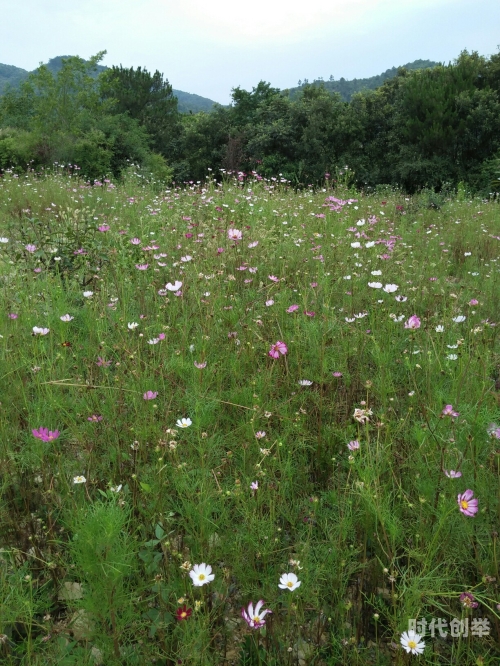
(243, 424)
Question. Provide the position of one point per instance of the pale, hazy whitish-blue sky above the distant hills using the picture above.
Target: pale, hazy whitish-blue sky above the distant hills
(210, 46)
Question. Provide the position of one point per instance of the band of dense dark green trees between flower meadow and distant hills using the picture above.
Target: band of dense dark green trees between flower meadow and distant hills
(425, 128)
